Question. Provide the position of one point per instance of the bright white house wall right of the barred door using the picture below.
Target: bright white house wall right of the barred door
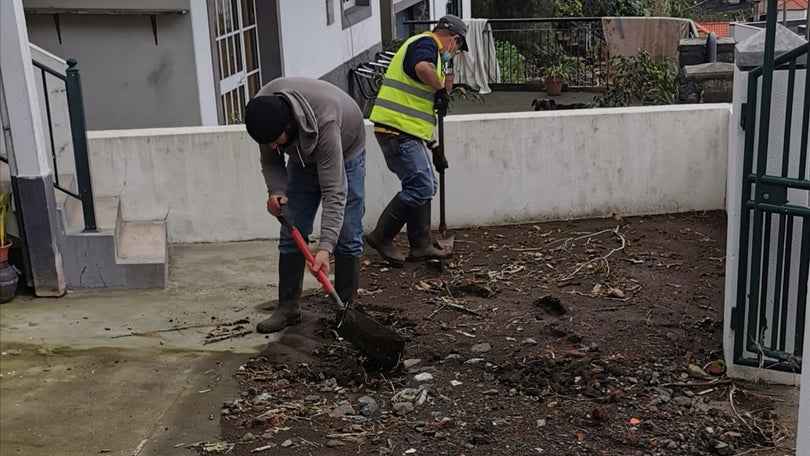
(311, 48)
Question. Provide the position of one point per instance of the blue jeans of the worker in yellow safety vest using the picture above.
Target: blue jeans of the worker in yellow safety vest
(409, 159)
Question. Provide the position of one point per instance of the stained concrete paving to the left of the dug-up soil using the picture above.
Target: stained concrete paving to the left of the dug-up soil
(103, 371)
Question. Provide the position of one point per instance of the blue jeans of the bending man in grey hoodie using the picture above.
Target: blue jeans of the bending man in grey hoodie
(304, 197)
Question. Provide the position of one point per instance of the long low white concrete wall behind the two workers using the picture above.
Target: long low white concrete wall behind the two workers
(515, 167)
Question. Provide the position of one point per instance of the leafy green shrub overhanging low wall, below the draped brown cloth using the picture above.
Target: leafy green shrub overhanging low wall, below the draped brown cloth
(639, 80)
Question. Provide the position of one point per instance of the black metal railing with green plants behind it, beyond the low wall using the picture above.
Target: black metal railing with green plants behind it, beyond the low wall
(527, 47)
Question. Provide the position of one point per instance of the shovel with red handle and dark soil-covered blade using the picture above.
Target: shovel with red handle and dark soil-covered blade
(381, 345)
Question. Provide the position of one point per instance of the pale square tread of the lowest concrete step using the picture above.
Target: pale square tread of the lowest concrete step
(141, 242)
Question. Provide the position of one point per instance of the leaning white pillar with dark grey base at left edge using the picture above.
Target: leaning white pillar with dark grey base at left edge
(29, 161)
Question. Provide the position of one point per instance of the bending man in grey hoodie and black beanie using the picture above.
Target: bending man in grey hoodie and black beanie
(319, 130)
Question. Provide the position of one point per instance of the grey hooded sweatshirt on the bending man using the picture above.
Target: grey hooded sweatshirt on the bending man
(330, 132)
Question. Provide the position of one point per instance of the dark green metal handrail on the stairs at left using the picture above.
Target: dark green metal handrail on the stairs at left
(78, 130)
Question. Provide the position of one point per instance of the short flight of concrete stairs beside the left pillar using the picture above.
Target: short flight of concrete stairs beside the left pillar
(121, 254)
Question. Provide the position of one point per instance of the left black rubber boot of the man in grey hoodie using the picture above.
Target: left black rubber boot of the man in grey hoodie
(290, 284)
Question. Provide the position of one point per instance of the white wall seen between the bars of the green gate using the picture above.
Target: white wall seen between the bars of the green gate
(734, 191)
